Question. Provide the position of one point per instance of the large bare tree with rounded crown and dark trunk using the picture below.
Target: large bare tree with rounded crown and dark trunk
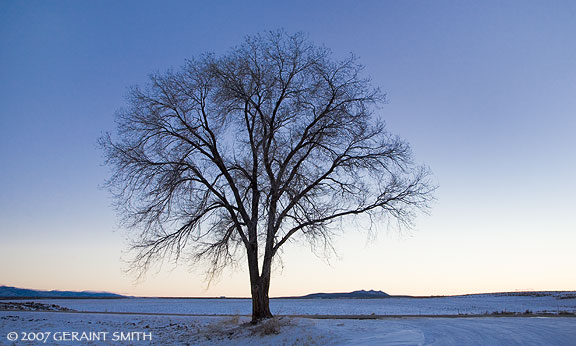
(234, 156)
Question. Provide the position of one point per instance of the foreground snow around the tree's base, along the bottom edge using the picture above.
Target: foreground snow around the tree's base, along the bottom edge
(205, 330)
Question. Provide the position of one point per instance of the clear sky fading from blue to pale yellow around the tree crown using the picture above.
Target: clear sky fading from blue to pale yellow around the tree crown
(485, 93)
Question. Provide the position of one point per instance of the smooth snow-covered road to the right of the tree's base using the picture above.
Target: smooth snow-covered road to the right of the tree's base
(458, 331)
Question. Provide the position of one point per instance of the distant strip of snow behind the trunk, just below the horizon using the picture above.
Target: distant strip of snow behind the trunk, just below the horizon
(471, 304)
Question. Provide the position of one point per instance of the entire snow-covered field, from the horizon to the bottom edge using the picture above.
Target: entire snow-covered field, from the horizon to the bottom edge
(491, 319)
